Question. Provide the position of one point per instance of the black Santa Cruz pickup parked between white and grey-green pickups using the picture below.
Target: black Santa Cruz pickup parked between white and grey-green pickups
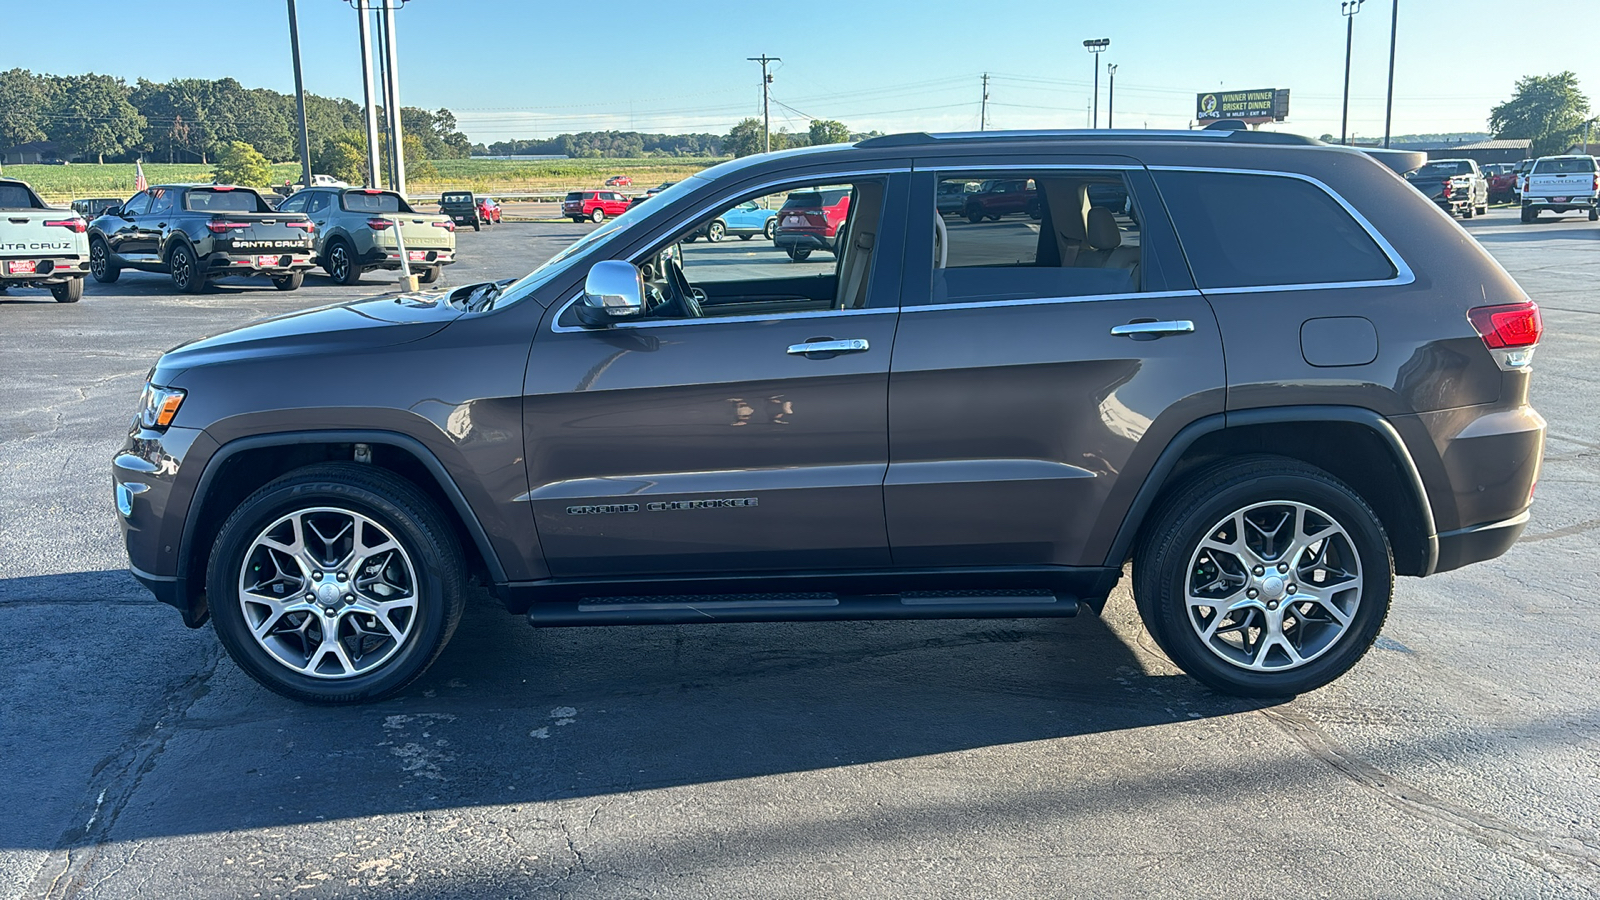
(196, 233)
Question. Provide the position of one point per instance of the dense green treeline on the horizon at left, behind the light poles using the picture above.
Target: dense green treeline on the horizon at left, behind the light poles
(100, 118)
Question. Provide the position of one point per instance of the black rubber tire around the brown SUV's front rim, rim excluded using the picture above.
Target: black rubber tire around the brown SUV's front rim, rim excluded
(394, 505)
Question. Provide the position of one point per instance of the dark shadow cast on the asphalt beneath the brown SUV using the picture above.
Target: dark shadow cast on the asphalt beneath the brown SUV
(513, 715)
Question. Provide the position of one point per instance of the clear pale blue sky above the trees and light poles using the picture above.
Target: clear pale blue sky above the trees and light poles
(522, 68)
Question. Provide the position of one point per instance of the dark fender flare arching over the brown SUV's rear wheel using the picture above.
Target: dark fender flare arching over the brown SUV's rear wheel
(1122, 545)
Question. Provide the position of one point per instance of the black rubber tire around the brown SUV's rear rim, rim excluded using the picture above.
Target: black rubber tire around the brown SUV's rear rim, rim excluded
(1190, 515)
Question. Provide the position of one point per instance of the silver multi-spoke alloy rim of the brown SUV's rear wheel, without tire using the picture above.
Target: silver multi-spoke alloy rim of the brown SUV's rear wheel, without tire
(1273, 587)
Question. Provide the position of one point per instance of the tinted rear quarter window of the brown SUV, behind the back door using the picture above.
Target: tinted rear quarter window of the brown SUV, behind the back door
(1268, 230)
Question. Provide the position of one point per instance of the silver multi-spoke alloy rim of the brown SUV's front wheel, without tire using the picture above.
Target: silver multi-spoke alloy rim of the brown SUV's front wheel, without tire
(329, 593)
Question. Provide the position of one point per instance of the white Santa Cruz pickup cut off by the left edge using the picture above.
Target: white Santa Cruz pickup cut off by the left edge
(41, 246)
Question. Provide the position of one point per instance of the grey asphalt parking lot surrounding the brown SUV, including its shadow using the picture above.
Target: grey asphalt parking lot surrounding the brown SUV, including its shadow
(1036, 758)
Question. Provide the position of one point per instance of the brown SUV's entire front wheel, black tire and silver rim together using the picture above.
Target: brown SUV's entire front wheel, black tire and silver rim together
(335, 584)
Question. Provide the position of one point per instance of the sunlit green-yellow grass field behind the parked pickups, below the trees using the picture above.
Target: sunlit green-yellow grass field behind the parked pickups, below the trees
(63, 183)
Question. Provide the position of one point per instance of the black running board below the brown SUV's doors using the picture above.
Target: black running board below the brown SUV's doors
(801, 608)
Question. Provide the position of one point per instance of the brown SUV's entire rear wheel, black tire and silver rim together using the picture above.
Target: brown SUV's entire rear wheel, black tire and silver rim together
(1265, 577)
